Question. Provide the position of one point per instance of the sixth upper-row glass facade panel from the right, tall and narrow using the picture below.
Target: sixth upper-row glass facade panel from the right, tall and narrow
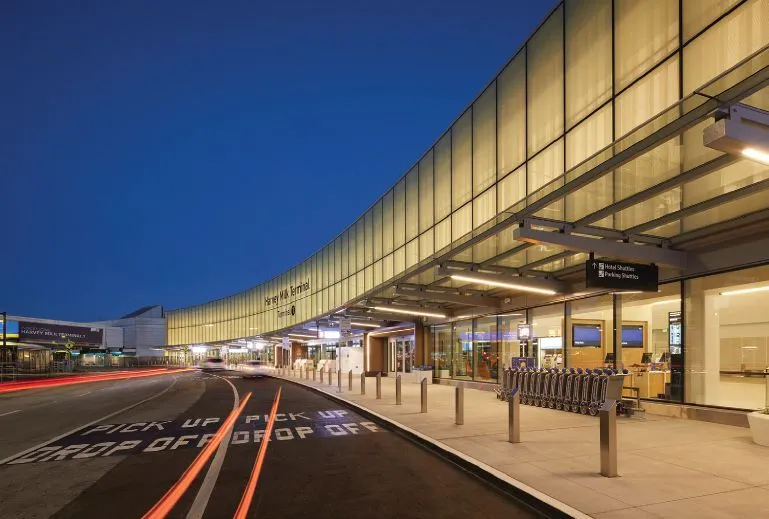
(484, 140)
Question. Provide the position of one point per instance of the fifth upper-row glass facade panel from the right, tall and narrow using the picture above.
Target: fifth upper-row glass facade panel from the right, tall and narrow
(511, 115)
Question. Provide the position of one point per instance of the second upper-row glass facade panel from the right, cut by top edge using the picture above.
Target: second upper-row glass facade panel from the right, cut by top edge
(646, 33)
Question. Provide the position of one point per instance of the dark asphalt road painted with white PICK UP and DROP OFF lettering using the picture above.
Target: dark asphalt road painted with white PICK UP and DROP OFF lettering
(82, 452)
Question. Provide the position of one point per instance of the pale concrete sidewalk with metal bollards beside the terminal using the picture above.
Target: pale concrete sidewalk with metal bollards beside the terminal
(669, 467)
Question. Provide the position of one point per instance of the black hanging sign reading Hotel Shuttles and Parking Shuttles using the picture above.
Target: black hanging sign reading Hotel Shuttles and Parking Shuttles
(616, 275)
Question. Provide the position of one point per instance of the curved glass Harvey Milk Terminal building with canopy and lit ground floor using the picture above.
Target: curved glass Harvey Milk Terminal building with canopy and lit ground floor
(602, 202)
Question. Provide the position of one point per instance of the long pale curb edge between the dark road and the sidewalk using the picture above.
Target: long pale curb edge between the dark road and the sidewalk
(539, 502)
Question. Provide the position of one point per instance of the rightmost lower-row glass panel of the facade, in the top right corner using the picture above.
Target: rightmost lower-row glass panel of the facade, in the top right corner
(732, 39)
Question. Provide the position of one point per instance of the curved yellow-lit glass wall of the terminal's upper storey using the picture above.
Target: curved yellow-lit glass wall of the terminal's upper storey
(582, 81)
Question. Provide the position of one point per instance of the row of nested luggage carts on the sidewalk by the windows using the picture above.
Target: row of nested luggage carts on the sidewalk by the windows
(574, 389)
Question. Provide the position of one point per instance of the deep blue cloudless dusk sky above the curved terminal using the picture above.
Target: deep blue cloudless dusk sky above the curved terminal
(175, 152)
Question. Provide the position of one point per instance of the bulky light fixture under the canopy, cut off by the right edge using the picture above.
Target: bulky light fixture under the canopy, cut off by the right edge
(740, 130)
